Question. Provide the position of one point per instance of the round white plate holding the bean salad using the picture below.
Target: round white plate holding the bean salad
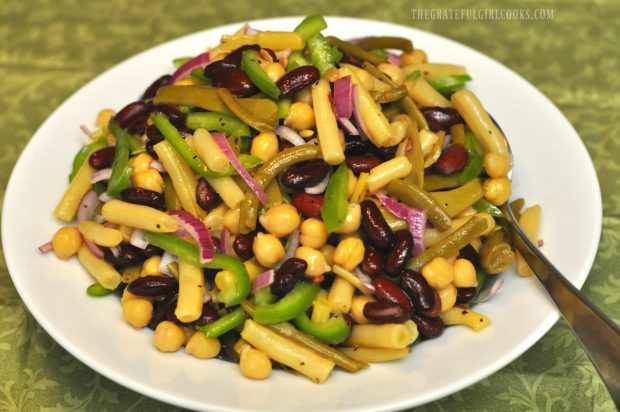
(552, 168)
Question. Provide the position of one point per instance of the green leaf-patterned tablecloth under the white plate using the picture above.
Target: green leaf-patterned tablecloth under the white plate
(48, 49)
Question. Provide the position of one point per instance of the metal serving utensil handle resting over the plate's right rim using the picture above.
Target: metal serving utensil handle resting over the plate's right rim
(598, 335)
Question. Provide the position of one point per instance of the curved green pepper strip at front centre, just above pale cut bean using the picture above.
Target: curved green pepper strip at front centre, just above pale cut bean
(289, 307)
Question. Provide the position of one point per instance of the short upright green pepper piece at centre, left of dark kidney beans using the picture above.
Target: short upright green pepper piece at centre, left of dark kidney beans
(336, 205)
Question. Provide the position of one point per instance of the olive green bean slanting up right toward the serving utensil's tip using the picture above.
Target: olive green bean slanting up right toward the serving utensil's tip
(451, 244)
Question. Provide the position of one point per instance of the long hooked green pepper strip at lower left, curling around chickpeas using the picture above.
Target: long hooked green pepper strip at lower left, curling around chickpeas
(235, 293)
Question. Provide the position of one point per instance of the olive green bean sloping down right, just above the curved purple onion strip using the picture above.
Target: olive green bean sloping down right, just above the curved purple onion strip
(412, 195)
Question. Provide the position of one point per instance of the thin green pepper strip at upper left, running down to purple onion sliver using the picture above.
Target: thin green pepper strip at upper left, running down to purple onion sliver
(172, 135)
